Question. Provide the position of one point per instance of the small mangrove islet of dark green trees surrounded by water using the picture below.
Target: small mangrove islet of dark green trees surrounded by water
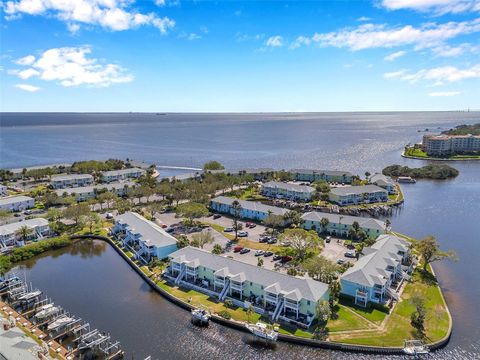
(436, 172)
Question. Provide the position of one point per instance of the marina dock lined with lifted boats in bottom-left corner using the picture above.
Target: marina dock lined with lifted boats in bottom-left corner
(50, 326)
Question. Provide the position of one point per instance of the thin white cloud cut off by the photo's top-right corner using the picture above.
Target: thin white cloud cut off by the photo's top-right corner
(439, 7)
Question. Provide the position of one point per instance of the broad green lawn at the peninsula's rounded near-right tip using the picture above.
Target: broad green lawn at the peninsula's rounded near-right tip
(397, 327)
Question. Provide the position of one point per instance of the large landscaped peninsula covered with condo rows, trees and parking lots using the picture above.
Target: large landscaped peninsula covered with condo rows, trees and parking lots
(247, 244)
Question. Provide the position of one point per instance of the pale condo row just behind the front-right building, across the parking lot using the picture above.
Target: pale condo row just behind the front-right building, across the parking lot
(340, 225)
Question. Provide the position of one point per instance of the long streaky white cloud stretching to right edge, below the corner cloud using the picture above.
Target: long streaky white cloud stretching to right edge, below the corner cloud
(367, 36)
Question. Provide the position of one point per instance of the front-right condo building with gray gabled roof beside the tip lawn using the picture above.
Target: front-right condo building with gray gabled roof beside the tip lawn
(378, 274)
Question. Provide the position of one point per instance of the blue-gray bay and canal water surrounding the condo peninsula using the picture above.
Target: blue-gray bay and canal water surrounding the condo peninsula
(93, 282)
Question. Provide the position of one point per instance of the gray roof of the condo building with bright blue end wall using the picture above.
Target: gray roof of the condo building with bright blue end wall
(149, 231)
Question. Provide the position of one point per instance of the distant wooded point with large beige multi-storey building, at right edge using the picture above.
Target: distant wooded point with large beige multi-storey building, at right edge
(459, 143)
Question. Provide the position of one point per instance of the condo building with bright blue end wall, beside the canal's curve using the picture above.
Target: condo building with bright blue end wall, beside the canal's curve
(143, 237)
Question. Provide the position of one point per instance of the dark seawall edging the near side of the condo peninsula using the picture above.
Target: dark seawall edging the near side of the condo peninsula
(329, 345)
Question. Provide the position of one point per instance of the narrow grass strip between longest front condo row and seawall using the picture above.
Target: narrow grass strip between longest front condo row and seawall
(198, 299)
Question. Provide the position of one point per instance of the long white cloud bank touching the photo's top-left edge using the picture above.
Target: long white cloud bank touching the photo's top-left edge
(114, 15)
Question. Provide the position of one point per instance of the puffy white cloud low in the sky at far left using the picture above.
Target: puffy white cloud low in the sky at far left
(71, 66)
